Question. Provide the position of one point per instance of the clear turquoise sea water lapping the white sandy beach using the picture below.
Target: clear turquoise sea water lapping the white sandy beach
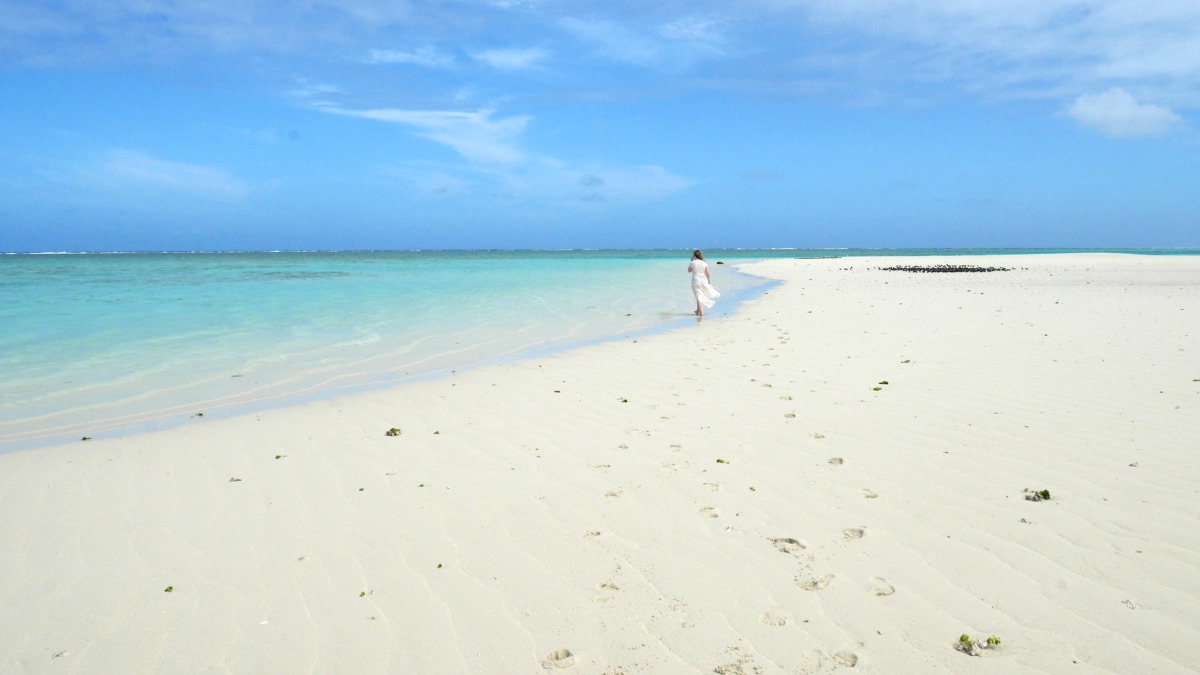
(112, 343)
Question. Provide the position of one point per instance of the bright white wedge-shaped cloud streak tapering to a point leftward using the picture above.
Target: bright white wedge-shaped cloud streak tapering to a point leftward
(473, 135)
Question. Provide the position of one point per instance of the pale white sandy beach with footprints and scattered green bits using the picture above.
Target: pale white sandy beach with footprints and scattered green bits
(833, 480)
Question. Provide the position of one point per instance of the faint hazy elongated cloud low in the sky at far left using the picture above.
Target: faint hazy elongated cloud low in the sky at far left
(122, 169)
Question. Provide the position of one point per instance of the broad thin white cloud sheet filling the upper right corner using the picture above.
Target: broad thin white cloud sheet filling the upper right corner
(1023, 47)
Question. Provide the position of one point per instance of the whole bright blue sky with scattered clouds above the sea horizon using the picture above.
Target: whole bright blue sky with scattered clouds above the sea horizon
(362, 124)
